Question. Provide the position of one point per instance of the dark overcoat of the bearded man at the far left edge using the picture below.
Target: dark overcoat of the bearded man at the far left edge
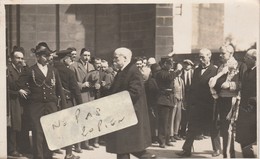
(13, 103)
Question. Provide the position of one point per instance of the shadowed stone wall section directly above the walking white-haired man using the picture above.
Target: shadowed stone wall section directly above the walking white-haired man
(137, 29)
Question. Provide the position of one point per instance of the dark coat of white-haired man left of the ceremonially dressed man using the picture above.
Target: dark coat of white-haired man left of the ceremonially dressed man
(201, 98)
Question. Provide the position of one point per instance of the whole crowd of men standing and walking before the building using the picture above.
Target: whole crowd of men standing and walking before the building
(173, 100)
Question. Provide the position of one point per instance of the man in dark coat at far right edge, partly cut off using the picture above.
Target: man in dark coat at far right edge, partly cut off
(246, 123)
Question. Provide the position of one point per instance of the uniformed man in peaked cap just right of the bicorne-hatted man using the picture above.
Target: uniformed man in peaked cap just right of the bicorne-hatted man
(70, 86)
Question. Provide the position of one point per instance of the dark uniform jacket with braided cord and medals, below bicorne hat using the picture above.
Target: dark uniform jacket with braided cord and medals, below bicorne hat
(42, 89)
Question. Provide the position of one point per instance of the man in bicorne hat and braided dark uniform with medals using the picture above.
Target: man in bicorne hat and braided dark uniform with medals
(44, 90)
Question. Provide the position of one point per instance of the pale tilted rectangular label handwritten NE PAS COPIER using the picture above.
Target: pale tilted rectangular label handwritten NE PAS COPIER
(88, 120)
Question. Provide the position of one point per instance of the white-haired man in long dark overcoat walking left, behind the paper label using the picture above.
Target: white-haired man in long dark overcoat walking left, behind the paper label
(137, 138)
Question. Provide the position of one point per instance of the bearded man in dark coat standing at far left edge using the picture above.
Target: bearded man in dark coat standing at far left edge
(14, 110)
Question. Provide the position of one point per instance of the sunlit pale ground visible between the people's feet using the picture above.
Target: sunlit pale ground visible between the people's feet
(202, 149)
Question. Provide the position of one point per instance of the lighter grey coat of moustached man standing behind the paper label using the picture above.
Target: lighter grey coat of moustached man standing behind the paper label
(81, 72)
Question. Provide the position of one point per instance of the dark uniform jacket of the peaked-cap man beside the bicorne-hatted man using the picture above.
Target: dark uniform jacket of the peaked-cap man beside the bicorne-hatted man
(69, 83)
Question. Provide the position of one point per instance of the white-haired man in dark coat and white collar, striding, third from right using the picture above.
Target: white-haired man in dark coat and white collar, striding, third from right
(201, 108)
